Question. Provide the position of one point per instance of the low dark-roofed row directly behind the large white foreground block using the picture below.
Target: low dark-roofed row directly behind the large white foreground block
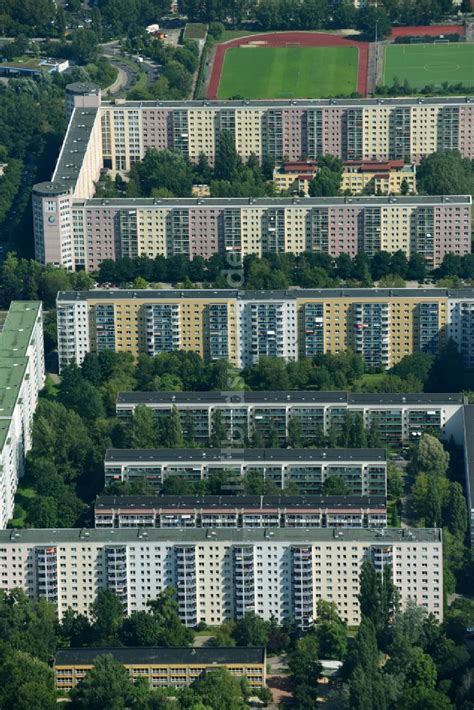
(229, 511)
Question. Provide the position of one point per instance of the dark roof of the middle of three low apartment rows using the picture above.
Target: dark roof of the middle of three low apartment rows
(222, 455)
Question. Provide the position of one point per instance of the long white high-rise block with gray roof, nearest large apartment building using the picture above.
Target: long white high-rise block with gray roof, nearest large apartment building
(222, 573)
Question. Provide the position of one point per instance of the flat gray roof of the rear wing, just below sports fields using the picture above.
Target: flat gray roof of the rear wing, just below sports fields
(300, 103)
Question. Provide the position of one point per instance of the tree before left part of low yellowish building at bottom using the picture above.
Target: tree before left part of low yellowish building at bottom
(106, 685)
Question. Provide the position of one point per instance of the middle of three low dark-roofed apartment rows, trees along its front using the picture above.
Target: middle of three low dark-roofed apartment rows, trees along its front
(363, 470)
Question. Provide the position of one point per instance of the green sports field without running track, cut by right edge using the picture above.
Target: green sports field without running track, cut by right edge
(423, 64)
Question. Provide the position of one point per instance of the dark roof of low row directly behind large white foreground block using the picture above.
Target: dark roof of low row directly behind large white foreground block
(233, 502)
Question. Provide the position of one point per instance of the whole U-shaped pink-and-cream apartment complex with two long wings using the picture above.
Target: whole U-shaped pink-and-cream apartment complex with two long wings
(75, 231)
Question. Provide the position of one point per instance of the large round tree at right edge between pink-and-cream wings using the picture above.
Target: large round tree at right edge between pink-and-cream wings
(445, 173)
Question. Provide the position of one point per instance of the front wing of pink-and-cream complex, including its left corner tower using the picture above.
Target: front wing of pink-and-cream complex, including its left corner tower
(81, 233)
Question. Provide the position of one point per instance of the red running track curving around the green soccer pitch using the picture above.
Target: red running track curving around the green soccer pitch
(281, 39)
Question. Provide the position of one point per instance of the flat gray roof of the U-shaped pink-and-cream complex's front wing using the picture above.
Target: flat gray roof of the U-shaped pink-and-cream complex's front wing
(223, 202)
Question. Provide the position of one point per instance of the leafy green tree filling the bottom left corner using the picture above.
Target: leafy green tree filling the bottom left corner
(26, 683)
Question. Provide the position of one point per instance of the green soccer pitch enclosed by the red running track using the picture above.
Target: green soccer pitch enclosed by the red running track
(288, 72)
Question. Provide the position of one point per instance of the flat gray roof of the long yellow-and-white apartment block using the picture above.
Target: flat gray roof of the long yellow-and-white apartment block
(264, 295)
